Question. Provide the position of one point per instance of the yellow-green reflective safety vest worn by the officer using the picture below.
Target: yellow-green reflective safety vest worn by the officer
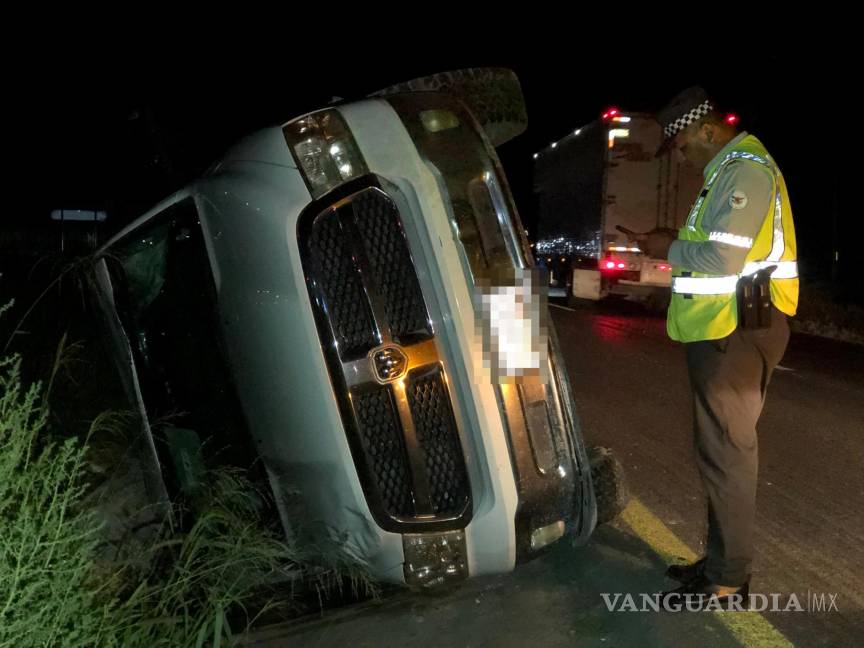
(704, 306)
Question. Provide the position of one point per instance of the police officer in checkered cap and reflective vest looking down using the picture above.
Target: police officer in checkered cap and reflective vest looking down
(738, 233)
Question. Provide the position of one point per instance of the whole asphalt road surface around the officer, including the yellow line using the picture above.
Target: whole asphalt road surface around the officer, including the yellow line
(631, 387)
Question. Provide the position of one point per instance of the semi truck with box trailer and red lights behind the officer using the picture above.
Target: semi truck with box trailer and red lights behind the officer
(595, 184)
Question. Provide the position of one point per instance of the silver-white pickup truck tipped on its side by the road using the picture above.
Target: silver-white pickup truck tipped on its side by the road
(349, 300)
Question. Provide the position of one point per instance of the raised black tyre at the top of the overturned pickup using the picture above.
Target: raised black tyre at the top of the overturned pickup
(493, 95)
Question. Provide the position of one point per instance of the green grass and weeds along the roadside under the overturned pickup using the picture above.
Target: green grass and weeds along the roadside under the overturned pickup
(218, 562)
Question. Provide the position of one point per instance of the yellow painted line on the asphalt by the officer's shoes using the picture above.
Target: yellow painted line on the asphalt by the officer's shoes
(750, 628)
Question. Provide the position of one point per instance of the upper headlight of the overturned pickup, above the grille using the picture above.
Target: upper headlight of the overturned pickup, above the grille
(325, 151)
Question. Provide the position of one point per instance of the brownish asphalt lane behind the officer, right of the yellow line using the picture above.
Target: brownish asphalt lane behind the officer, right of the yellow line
(631, 387)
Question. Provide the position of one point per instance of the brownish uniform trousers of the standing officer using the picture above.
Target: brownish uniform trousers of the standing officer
(729, 378)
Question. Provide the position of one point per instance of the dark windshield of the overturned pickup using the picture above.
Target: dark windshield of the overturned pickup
(166, 299)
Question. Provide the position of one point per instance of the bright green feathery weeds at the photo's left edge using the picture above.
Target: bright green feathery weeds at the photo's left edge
(46, 541)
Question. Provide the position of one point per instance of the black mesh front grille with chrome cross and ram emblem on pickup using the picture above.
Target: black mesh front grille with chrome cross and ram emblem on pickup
(370, 312)
